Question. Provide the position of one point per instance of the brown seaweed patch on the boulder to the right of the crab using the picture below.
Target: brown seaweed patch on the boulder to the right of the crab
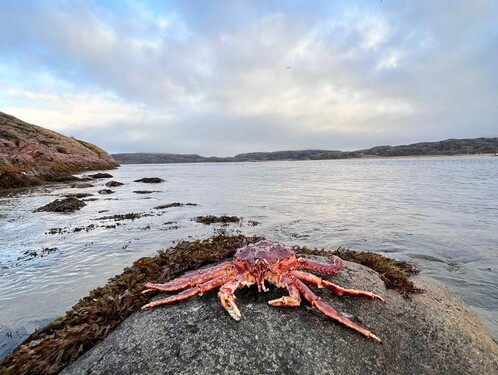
(395, 274)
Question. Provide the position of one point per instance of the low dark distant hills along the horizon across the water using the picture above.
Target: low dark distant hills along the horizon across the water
(447, 147)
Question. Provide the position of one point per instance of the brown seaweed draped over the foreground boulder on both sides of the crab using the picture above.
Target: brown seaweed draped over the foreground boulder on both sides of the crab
(61, 342)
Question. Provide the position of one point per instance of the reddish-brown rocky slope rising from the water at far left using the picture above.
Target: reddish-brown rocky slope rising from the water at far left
(30, 154)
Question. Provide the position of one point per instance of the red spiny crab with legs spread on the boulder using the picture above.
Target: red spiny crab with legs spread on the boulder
(255, 263)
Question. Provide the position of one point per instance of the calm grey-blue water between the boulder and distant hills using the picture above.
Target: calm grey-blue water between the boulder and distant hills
(440, 213)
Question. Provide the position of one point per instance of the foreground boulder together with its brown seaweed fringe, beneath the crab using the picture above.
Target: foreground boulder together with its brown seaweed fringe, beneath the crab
(431, 320)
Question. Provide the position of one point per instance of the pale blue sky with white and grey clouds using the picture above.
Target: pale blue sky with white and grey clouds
(224, 77)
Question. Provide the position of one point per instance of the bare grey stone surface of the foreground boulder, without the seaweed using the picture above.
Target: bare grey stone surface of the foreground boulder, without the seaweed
(434, 333)
